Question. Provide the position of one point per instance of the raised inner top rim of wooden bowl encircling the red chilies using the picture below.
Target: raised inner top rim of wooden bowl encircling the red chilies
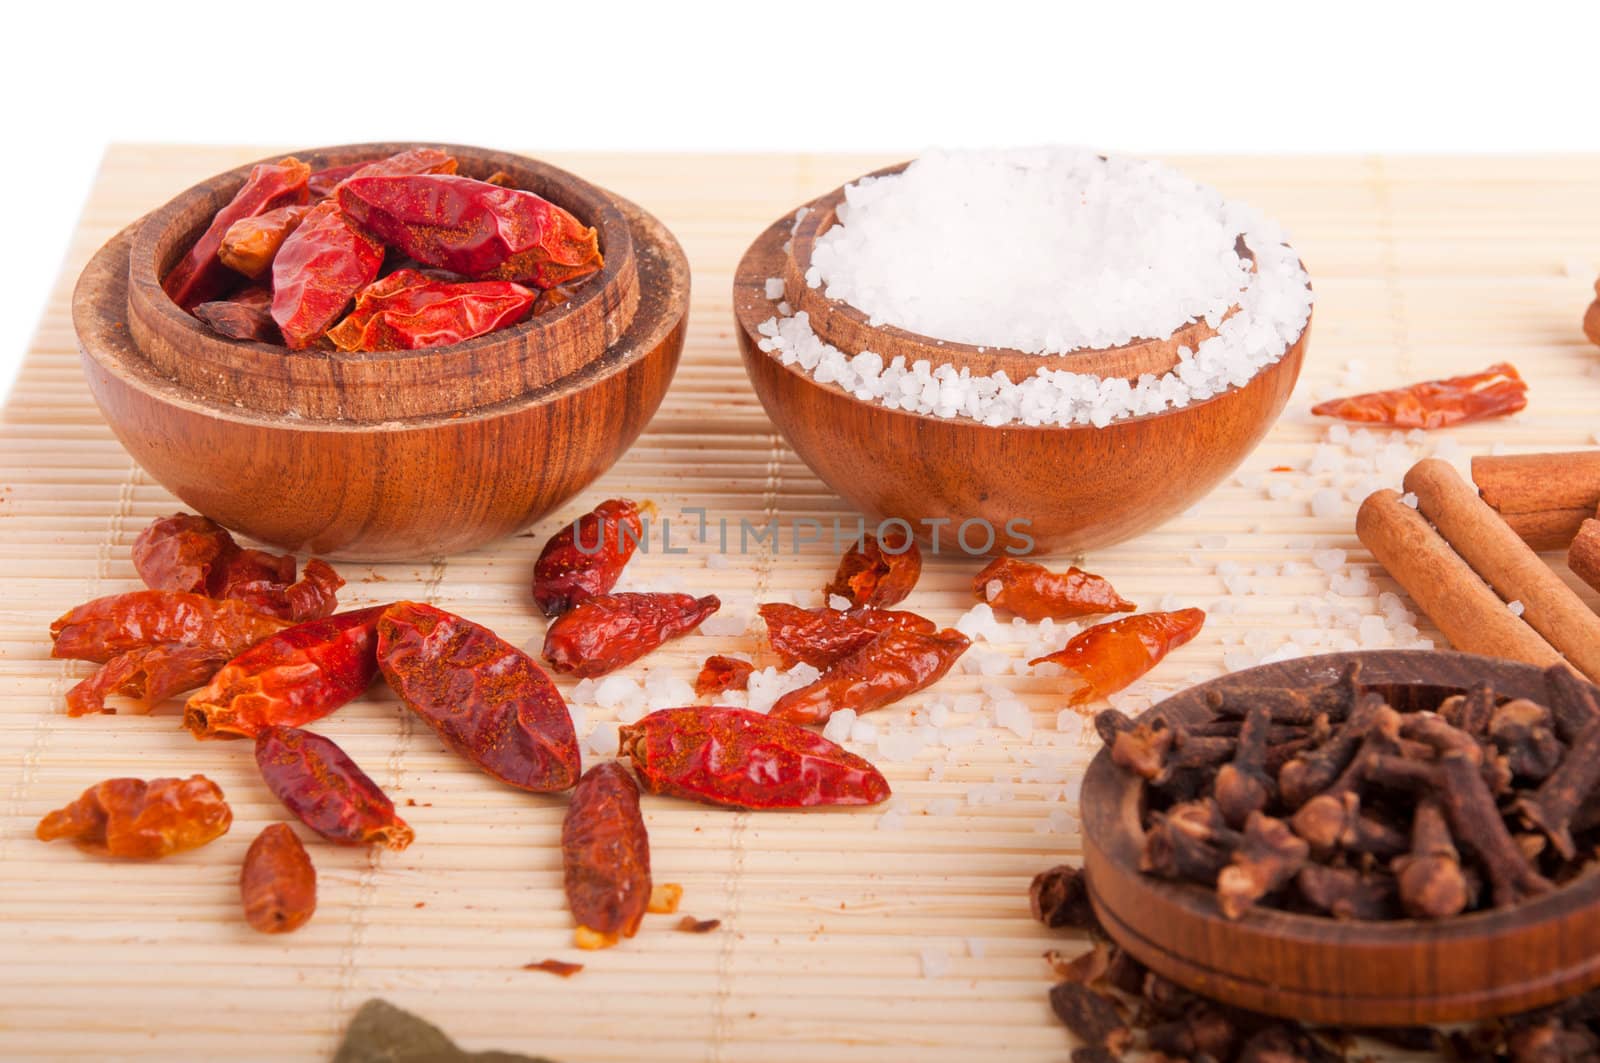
(590, 203)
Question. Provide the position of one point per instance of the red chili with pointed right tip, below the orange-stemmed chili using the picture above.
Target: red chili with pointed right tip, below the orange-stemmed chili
(607, 632)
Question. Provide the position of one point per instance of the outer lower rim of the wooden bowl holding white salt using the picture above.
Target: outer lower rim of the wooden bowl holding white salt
(751, 307)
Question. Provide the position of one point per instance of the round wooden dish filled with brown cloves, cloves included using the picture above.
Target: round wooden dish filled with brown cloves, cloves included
(1390, 965)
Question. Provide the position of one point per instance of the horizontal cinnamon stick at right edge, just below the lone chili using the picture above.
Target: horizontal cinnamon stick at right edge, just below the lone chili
(1545, 499)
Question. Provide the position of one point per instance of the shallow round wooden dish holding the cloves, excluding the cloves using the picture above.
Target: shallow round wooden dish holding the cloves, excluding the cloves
(1321, 969)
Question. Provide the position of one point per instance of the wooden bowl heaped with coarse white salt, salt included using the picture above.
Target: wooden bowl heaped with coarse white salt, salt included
(1038, 345)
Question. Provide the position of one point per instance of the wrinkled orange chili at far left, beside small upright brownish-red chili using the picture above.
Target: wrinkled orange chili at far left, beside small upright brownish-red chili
(142, 820)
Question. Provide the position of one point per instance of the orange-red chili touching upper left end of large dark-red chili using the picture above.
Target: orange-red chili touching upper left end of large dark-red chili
(294, 678)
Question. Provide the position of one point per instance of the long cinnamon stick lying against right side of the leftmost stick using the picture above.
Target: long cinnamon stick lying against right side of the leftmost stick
(1506, 563)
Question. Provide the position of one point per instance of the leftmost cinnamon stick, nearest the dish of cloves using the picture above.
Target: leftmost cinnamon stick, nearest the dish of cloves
(1460, 604)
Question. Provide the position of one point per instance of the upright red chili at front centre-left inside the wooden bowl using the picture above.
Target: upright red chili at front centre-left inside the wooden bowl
(318, 271)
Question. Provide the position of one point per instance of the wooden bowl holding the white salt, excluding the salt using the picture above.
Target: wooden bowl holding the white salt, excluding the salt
(1076, 487)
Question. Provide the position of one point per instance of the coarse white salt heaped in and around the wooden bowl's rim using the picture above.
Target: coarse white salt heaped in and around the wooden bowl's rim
(1097, 254)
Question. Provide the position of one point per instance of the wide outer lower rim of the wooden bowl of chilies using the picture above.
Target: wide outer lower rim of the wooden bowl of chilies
(663, 308)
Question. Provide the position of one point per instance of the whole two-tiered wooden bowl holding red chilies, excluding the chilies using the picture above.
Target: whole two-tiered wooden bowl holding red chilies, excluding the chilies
(391, 454)
